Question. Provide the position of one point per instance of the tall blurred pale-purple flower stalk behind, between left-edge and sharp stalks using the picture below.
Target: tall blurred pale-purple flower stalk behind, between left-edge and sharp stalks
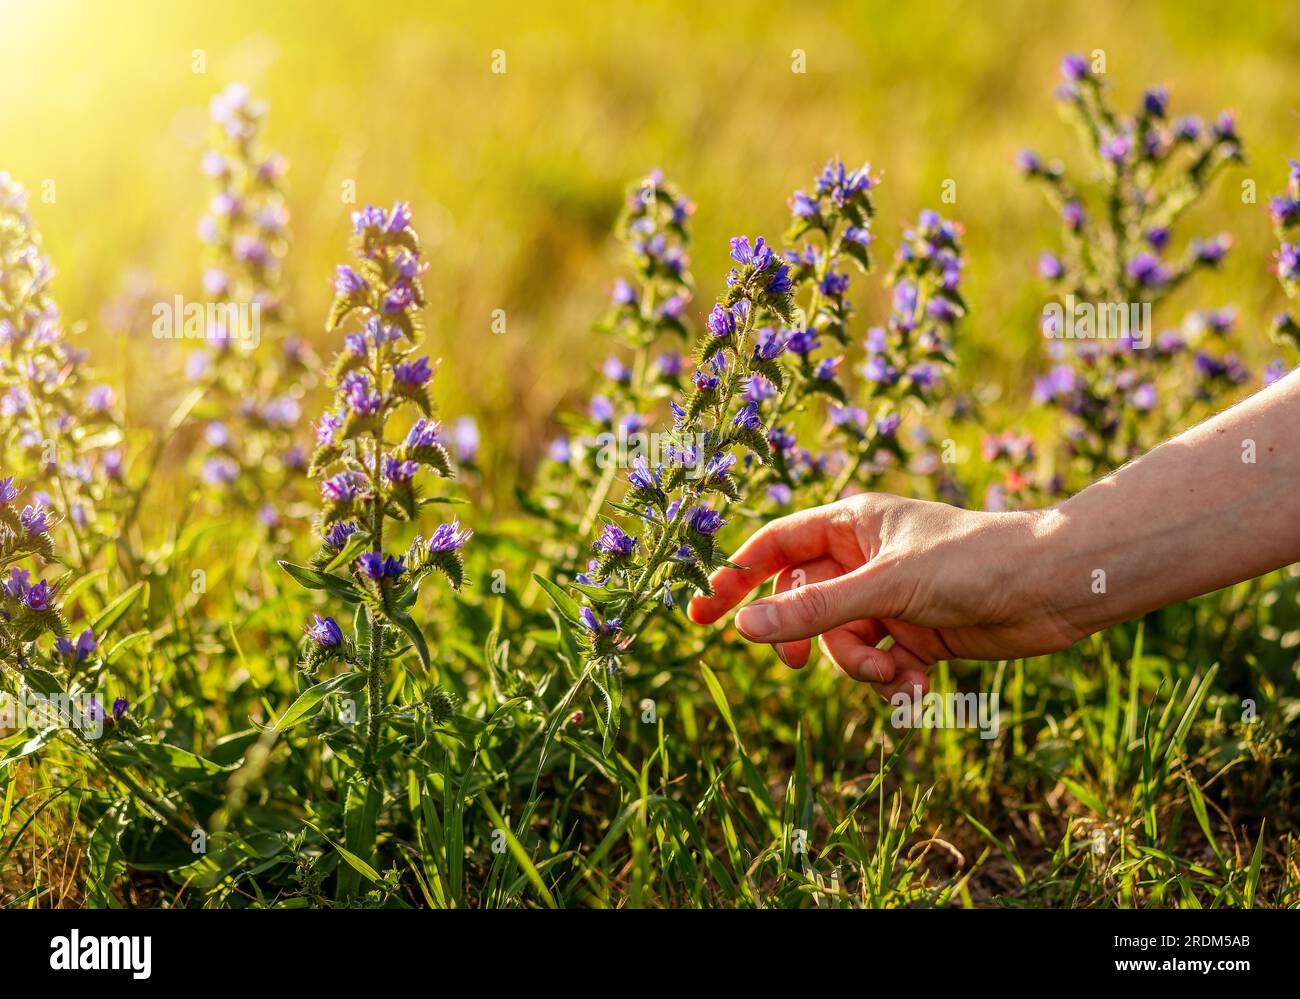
(254, 401)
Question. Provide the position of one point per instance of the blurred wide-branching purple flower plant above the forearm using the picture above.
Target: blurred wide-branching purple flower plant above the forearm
(1119, 249)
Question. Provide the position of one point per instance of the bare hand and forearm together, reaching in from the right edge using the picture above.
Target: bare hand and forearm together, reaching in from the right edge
(933, 582)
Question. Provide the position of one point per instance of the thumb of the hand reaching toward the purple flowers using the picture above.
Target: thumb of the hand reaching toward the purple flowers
(816, 608)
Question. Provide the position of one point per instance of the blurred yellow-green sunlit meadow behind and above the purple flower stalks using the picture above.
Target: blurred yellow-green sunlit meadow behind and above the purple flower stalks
(515, 179)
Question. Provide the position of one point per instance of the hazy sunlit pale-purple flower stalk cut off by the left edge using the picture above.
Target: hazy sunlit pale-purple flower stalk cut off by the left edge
(55, 425)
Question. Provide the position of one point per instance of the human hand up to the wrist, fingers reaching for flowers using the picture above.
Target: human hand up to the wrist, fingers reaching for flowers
(942, 582)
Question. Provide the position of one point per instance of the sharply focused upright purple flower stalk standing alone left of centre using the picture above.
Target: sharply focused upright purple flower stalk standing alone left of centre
(371, 473)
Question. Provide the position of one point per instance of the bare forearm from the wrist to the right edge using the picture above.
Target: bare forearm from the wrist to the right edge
(1214, 507)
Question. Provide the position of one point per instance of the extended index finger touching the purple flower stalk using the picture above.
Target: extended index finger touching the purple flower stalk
(786, 542)
